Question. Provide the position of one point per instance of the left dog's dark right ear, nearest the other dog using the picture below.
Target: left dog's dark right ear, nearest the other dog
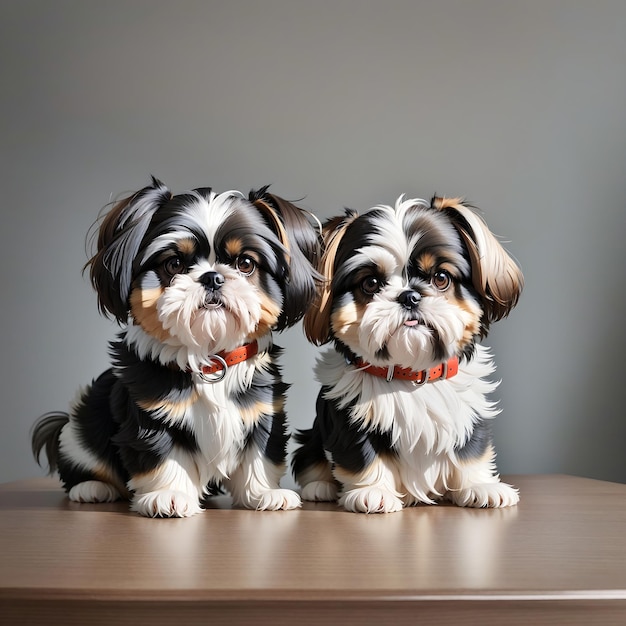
(302, 243)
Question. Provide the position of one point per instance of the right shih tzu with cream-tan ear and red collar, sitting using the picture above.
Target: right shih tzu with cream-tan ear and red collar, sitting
(403, 413)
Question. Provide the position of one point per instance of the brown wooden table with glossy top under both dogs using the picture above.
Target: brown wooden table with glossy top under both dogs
(559, 557)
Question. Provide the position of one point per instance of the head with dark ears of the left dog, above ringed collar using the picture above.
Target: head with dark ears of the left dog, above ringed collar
(203, 270)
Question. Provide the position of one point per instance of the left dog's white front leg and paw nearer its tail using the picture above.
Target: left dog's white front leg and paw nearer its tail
(172, 489)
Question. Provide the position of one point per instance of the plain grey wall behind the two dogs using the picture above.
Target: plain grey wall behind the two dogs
(518, 106)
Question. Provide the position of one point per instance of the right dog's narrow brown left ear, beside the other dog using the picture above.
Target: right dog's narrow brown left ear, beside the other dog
(317, 318)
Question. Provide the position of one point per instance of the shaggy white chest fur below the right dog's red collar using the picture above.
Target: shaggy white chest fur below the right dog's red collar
(426, 424)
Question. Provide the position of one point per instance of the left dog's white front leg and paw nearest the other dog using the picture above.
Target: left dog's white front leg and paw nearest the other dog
(255, 483)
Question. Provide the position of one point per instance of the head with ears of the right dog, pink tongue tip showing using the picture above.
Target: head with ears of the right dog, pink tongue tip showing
(412, 285)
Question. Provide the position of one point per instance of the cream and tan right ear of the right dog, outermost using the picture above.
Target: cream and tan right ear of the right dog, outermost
(496, 276)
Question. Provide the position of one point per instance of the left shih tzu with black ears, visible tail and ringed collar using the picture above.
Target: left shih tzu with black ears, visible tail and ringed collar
(194, 400)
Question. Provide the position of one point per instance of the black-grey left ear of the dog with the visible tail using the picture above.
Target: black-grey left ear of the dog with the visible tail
(120, 235)
